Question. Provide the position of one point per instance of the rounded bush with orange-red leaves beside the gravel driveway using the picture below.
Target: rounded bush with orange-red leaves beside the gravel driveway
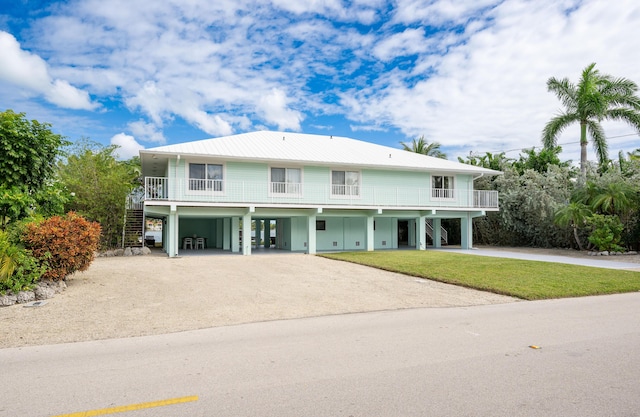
(64, 244)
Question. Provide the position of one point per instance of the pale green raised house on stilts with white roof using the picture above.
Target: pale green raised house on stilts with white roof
(318, 193)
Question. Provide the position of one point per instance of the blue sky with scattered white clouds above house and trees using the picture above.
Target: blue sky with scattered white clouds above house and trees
(470, 75)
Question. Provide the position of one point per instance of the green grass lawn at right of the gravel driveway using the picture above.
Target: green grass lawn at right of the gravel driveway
(529, 280)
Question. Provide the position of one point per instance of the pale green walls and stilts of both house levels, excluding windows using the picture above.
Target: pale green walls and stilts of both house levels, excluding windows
(368, 220)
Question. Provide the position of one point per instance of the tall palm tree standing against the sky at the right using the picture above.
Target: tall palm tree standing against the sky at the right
(595, 98)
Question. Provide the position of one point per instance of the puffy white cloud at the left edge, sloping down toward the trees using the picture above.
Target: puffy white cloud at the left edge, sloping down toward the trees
(29, 71)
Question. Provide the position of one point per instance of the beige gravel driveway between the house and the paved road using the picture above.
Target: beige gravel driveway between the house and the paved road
(145, 295)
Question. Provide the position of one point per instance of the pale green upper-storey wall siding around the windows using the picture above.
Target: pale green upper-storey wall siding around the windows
(246, 181)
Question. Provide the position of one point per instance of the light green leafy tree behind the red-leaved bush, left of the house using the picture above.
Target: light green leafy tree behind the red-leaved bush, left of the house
(100, 184)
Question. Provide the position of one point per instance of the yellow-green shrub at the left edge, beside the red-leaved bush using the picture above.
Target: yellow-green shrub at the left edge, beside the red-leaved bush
(18, 269)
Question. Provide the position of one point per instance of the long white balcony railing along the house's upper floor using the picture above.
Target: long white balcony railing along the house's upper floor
(244, 192)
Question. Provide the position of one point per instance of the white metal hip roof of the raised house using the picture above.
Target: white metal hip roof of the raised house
(301, 148)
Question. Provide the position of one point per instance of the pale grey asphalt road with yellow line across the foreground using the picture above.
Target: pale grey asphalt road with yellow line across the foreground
(473, 361)
